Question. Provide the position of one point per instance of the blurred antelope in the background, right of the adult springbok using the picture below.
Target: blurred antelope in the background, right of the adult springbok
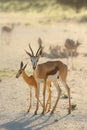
(71, 48)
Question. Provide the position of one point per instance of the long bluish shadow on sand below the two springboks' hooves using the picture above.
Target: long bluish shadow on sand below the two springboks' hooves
(30, 122)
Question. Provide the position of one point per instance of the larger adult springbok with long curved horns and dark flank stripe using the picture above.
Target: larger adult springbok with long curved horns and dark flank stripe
(51, 70)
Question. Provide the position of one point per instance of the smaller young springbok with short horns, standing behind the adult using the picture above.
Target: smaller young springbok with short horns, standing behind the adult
(30, 80)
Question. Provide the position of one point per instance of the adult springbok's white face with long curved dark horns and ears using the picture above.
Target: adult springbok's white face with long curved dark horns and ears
(34, 58)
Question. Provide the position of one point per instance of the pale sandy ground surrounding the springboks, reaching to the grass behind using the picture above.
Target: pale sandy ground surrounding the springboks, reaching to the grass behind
(14, 93)
